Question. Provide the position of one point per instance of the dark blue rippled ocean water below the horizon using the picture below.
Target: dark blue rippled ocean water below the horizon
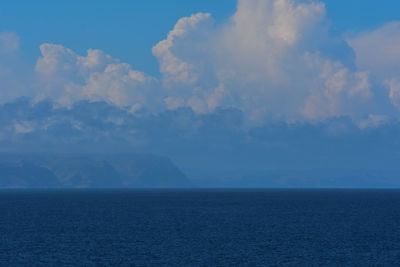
(200, 227)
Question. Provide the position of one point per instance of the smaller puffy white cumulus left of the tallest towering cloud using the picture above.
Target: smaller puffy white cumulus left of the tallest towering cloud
(67, 77)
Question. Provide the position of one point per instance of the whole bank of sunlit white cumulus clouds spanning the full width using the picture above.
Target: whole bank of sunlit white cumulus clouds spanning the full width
(272, 59)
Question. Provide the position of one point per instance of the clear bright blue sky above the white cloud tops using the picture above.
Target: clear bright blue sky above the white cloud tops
(128, 29)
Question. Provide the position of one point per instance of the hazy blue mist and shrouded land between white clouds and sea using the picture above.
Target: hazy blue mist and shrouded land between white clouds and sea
(210, 150)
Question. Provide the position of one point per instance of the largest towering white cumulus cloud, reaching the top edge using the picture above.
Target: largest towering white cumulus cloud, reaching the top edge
(273, 58)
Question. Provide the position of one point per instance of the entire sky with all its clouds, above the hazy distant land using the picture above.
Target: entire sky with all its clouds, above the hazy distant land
(258, 84)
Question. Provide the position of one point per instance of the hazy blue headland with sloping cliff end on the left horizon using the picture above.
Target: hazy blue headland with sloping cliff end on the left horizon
(89, 171)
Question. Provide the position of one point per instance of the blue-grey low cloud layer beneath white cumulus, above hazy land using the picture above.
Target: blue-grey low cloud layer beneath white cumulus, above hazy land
(220, 138)
